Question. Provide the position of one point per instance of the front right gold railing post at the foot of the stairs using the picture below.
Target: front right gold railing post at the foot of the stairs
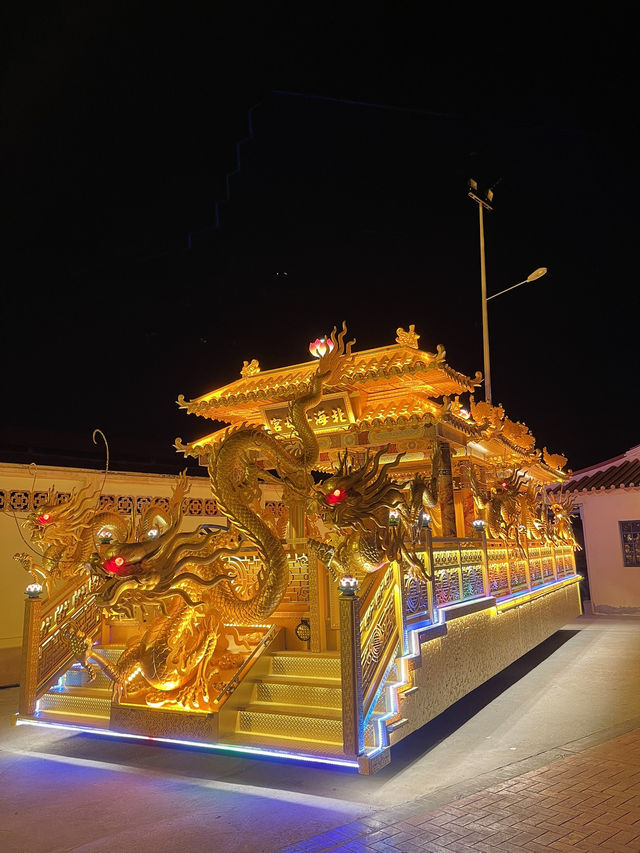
(351, 672)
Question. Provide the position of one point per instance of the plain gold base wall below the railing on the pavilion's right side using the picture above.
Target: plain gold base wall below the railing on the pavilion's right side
(476, 647)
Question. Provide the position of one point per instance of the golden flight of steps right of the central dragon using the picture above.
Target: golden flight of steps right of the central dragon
(293, 703)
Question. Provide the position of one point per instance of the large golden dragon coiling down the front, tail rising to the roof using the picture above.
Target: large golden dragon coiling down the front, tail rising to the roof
(184, 576)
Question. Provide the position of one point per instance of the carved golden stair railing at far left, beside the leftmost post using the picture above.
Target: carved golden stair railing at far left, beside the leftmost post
(45, 650)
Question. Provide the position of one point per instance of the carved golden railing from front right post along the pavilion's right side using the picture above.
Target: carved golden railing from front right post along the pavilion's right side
(375, 622)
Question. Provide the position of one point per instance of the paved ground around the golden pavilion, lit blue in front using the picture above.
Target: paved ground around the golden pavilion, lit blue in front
(546, 756)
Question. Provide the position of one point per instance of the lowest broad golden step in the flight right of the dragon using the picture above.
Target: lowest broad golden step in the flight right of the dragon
(291, 725)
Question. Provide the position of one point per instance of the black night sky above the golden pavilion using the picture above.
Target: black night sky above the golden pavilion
(146, 244)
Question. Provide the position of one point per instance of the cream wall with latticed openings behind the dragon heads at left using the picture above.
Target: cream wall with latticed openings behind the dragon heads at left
(16, 496)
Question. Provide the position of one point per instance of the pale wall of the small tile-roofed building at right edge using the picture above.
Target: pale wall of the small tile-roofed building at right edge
(613, 586)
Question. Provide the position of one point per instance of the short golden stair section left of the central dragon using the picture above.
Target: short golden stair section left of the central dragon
(75, 699)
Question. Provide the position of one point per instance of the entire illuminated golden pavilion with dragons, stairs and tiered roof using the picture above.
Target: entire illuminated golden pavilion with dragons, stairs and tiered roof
(384, 543)
